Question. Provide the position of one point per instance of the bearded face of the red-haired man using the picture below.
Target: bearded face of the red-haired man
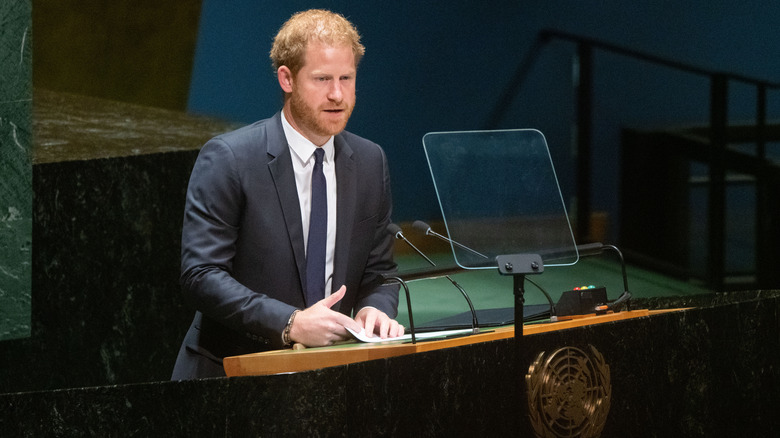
(323, 92)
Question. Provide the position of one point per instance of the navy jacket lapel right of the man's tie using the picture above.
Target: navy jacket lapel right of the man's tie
(345, 215)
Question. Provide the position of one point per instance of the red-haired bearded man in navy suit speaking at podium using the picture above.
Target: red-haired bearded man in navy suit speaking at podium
(284, 235)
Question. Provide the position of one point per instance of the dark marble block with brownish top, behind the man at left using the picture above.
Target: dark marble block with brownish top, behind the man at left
(109, 180)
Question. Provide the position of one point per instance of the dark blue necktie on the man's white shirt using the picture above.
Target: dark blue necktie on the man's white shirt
(318, 233)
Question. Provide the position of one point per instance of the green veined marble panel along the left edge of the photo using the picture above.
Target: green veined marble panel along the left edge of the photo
(15, 169)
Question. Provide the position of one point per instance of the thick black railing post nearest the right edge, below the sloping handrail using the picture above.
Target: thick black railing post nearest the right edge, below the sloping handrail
(717, 192)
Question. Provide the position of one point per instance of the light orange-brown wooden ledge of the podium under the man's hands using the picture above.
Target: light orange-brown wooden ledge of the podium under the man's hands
(306, 359)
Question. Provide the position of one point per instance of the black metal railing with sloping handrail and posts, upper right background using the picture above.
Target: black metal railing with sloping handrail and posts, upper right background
(718, 126)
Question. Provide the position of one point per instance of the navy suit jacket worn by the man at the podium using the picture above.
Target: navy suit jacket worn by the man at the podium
(243, 258)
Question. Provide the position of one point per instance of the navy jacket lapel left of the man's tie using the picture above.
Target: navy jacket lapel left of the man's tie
(280, 166)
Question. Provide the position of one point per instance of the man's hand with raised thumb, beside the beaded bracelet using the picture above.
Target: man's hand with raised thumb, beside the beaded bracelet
(318, 325)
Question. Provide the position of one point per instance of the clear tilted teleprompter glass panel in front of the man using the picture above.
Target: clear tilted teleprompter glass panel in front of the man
(499, 195)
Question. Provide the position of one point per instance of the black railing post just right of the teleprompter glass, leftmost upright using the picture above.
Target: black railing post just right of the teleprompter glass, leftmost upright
(584, 129)
